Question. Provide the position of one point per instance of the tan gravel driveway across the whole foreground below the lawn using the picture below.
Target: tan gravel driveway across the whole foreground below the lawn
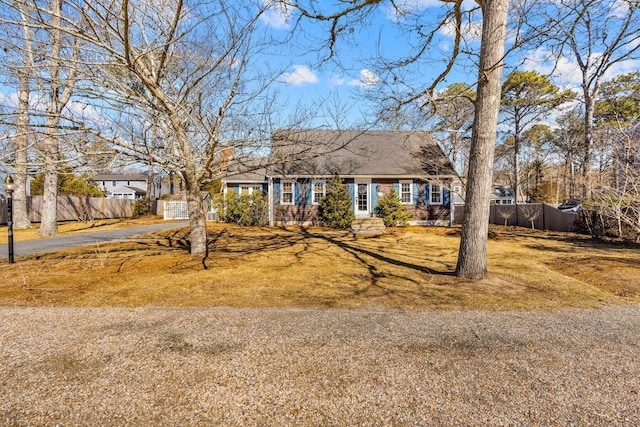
(278, 367)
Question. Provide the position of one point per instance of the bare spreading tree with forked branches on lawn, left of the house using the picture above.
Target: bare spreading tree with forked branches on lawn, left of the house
(191, 73)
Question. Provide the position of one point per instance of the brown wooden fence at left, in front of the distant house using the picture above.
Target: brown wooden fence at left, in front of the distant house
(77, 208)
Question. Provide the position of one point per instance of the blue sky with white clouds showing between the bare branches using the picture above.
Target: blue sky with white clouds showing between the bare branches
(353, 75)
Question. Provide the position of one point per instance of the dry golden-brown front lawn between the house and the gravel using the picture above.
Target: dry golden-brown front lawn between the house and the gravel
(270, 267)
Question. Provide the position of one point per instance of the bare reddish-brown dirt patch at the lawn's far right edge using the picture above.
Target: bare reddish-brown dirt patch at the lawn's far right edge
(621, 277)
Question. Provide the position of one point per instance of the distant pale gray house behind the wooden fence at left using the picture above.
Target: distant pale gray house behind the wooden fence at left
(128, 186)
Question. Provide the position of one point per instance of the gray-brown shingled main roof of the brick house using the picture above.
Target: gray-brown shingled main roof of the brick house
(354, 153)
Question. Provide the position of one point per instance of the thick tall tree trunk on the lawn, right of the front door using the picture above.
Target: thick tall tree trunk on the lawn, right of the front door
(472, 256)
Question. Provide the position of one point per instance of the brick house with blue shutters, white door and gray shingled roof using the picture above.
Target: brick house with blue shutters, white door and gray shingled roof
(370, 163)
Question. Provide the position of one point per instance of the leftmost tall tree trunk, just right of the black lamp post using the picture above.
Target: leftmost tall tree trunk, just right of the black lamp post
(20, 212)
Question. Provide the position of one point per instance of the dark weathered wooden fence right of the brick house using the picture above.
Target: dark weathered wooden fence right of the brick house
(532, 215)
